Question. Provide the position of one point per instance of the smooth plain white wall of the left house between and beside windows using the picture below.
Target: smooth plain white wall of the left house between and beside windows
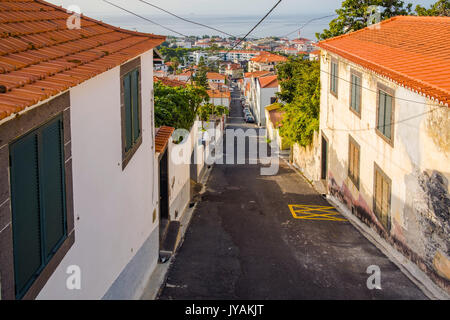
(113, 208)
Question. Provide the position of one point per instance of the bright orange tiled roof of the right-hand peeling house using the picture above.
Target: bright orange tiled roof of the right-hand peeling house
(411, 51)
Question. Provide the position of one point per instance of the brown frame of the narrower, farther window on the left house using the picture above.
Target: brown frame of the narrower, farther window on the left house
(125, 69)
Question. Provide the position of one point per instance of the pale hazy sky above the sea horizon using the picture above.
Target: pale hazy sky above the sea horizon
(214, 7)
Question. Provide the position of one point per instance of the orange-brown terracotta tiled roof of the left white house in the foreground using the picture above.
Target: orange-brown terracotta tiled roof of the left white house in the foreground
(40, 57)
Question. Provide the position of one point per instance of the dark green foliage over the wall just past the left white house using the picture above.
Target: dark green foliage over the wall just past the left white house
(177, 106)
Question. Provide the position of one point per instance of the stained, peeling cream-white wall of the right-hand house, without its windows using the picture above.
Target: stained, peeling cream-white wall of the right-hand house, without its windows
(420, 147)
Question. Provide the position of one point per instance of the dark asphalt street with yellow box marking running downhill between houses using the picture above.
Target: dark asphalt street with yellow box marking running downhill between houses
(245, 243)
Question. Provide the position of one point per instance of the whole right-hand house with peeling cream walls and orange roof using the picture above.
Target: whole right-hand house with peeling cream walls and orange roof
(384, 142)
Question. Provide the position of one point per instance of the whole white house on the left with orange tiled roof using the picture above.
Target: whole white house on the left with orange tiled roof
(87, 125)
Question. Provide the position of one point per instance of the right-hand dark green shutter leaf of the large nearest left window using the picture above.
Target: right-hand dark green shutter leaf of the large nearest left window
(52, 186)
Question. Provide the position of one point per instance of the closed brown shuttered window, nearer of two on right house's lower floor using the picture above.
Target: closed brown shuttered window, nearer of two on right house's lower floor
(384, 216)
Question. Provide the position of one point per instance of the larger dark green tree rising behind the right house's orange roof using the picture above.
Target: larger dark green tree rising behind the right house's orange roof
(356, 14)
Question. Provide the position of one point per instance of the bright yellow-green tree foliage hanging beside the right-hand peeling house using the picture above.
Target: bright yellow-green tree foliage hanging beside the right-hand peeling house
(300, 91)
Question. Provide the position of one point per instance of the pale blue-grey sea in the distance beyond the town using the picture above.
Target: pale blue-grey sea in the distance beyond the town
(277, 25)
